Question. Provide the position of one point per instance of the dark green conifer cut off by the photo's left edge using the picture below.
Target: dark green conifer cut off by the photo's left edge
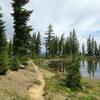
(3, 48)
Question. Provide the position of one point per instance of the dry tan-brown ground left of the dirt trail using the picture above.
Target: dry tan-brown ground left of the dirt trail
(14, 85)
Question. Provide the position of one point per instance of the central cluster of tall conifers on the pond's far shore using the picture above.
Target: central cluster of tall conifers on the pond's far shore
(60, 46)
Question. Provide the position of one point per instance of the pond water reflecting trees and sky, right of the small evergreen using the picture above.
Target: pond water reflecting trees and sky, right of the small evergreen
(90, 68)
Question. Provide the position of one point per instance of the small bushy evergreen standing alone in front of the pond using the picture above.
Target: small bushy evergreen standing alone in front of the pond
(73, 75)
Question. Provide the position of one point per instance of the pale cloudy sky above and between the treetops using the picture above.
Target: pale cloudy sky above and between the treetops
(64, 15)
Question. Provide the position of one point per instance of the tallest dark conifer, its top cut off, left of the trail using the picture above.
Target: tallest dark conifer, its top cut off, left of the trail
(22, 38)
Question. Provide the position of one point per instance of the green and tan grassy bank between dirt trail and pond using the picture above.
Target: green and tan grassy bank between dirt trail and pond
(56, 89)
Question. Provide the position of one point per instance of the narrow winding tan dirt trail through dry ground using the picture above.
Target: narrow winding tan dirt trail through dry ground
(36, 92)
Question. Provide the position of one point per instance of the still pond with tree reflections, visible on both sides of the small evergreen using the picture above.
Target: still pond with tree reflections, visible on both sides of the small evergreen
(88, 68)
